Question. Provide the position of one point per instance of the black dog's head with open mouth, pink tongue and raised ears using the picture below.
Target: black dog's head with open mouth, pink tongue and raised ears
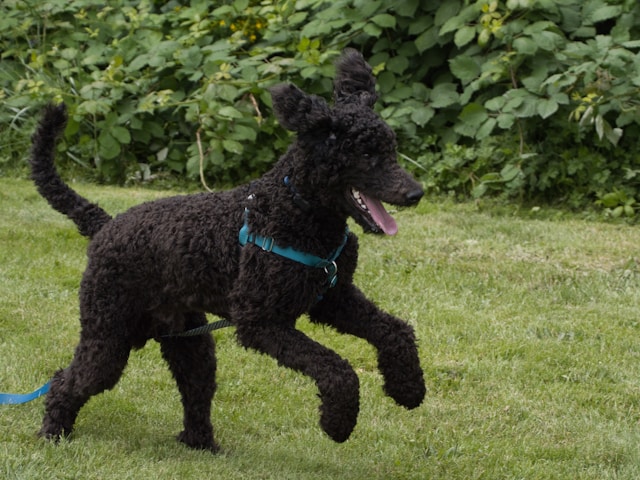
(349, 151)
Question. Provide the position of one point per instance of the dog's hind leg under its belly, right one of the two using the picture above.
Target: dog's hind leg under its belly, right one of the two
(192, 362)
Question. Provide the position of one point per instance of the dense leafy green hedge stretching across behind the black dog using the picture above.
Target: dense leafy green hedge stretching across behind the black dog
(535, 100)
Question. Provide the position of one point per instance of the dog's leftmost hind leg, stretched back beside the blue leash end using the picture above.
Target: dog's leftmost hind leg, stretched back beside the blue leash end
(97, 366)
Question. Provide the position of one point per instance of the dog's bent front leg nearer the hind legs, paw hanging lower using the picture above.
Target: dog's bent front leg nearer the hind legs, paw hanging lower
(337, 382)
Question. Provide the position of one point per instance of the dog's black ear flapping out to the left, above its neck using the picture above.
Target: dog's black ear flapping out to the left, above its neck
(298, 111)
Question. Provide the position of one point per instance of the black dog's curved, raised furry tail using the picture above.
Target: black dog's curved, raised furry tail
(89, 217)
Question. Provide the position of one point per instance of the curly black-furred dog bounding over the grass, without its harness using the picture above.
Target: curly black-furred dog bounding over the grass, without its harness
(155, 269)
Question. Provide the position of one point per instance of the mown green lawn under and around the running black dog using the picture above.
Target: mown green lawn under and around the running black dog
(529, 332)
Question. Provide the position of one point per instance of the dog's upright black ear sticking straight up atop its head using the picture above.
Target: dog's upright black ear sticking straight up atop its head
(354, 81)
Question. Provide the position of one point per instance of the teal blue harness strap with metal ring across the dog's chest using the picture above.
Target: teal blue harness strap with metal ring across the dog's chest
(268, 244)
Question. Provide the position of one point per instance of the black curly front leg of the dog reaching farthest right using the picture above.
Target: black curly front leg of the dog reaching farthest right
(349, 311)
